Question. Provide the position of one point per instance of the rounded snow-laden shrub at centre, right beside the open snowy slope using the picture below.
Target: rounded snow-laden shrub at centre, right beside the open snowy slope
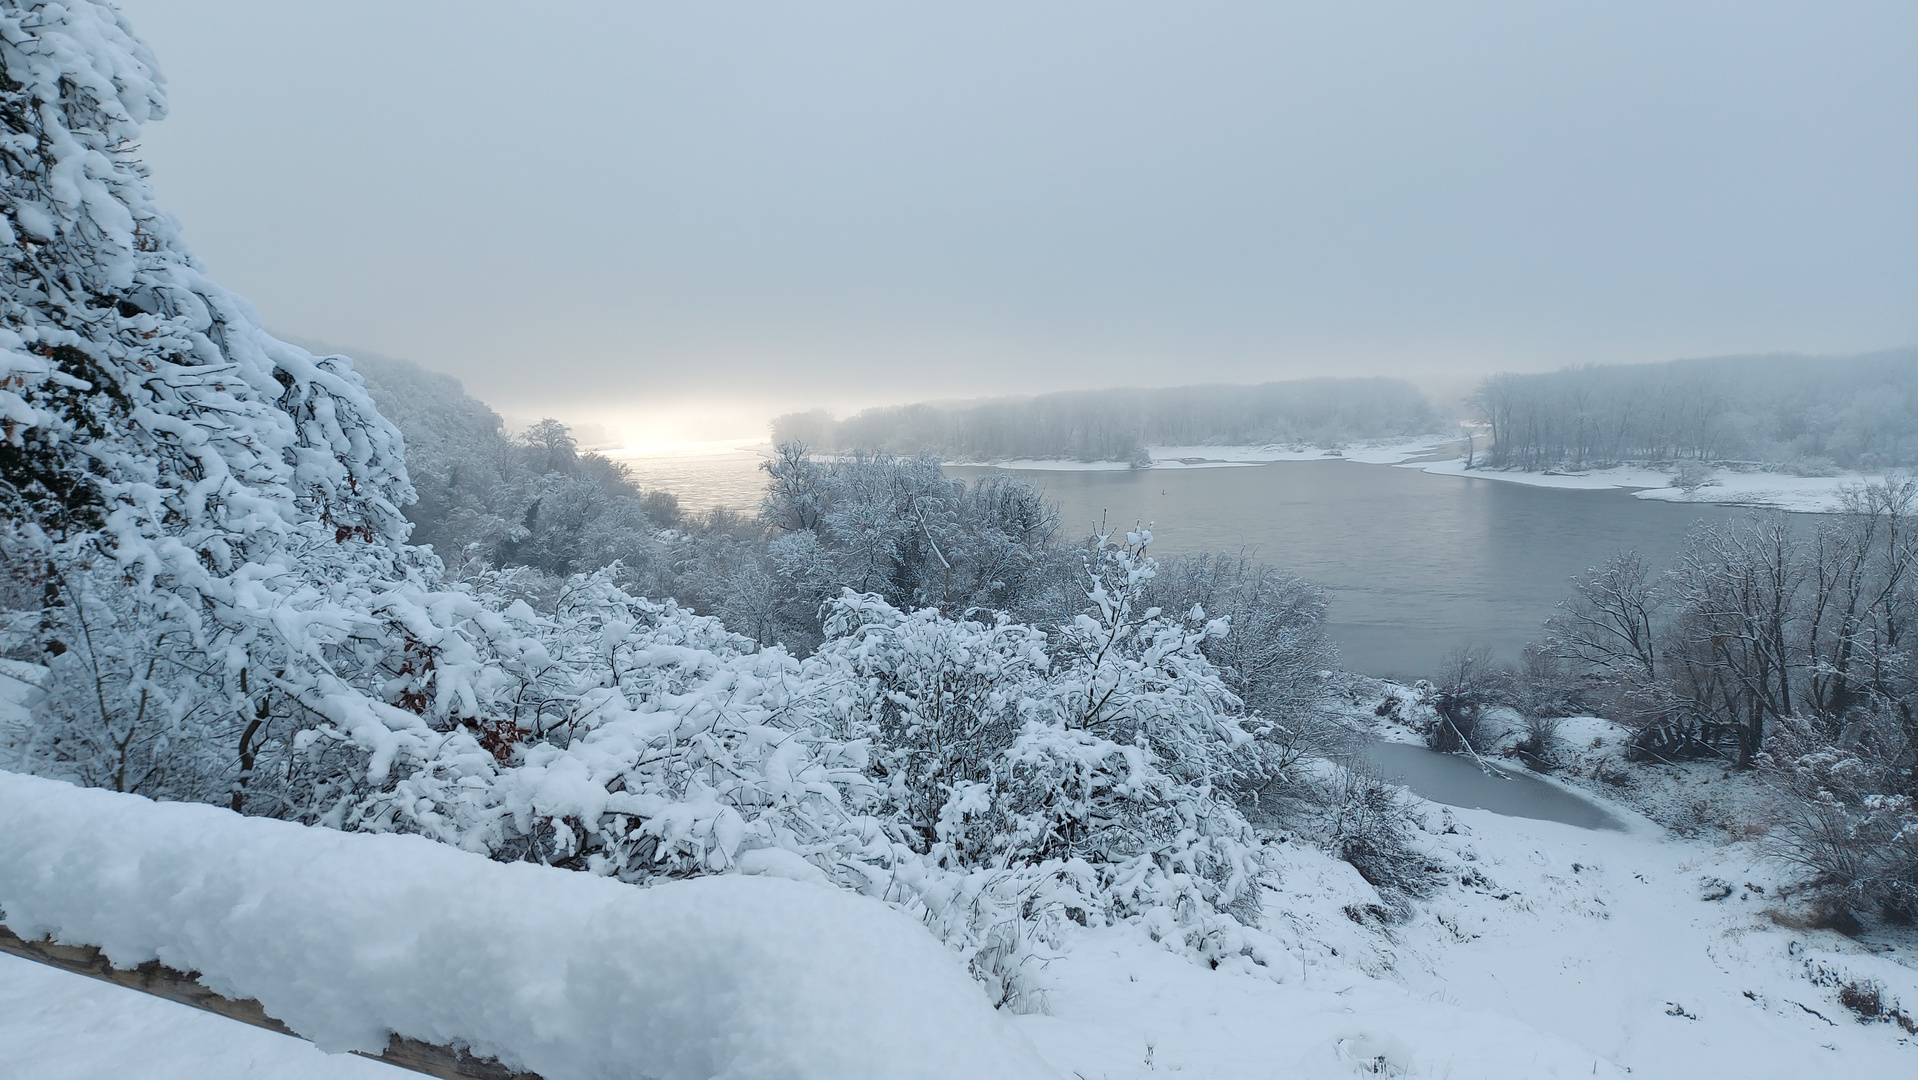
(1037, 782)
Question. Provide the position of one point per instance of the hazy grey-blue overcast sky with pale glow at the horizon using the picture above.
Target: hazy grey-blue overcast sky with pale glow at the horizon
(678, 214)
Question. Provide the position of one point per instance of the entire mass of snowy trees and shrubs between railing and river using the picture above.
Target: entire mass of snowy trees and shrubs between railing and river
(210, 592)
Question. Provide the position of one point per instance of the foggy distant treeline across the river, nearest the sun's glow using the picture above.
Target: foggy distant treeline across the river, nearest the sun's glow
(1117, 425)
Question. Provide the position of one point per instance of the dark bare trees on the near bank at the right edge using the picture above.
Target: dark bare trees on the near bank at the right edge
(1785, 646)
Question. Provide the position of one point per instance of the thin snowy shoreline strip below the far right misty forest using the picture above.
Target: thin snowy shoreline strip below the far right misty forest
(1769, 490)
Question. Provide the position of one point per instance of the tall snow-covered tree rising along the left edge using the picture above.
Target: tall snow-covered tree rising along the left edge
(210, 517)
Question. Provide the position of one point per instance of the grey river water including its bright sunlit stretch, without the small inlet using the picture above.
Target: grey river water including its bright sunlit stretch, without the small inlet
(1416, 563)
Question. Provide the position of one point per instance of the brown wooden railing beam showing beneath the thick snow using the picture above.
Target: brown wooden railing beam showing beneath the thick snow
(185, 987)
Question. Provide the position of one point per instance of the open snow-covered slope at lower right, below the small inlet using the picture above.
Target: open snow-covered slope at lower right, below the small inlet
(1553, 952)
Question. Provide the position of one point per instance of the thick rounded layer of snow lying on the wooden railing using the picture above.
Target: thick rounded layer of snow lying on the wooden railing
(350, 939)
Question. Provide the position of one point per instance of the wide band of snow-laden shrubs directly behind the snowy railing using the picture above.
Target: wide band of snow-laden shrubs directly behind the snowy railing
(941, 764)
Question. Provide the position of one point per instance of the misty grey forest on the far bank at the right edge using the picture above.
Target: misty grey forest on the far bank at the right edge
(1806, 413)
